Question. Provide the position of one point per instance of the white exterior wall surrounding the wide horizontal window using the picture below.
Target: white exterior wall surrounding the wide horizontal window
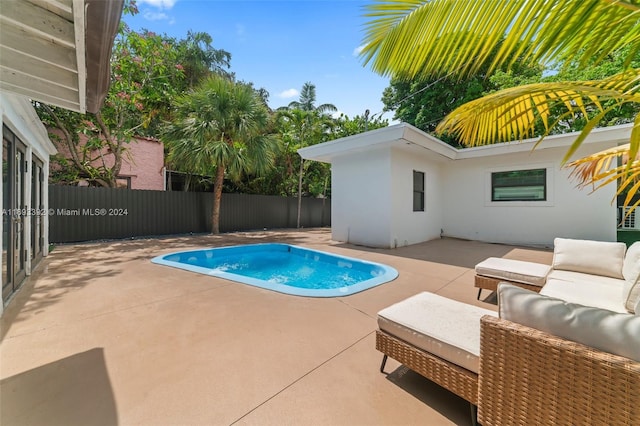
(568, 212)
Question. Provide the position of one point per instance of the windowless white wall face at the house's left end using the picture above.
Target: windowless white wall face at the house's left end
(360, 198)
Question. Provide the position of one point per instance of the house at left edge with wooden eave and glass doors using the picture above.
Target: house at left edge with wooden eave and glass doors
(56, 52)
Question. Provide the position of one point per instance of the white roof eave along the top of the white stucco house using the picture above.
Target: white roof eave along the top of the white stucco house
(406, 137)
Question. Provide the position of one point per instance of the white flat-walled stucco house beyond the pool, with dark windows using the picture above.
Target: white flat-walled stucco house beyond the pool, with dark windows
(398, 186)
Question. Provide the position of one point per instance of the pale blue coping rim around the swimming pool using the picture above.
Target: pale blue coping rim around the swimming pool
(388, 275)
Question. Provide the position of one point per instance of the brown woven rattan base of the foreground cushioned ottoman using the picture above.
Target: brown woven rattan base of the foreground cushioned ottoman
(458, 380)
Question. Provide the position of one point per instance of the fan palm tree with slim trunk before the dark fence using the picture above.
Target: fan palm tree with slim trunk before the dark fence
(220, 128)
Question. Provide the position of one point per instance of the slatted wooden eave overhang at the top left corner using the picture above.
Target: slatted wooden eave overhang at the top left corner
(58, 51)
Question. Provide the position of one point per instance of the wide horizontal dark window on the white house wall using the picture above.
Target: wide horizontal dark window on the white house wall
(519, 185)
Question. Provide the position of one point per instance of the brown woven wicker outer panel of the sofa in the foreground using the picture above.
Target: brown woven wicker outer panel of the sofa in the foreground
(531, 377)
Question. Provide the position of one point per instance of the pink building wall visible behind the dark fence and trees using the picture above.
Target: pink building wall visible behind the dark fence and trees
(142, 163)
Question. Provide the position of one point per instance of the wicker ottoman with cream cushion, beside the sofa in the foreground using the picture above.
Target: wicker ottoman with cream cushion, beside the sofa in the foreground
(436, 337)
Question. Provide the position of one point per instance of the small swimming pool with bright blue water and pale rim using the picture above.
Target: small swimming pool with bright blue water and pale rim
(284, 268)
